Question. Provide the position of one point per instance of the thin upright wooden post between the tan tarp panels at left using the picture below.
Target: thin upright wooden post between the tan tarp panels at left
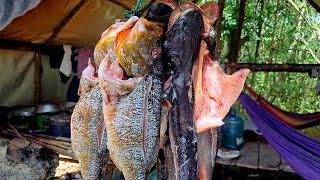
(37, 79)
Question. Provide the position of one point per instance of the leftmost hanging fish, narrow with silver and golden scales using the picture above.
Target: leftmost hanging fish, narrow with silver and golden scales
(88, 136)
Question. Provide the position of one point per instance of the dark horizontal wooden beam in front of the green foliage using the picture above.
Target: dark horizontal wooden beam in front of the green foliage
(275, 67)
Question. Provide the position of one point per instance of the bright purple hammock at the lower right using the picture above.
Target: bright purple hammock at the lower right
(299, 151)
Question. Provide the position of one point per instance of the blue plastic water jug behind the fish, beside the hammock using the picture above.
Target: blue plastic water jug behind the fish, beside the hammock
(232, 130)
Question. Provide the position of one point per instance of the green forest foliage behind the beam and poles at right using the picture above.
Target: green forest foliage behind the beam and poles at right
(290, 33)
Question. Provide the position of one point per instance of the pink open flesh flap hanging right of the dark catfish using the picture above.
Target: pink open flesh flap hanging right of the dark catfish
(215, 93)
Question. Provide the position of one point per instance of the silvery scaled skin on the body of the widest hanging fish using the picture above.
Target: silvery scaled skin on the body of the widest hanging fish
(128, 130)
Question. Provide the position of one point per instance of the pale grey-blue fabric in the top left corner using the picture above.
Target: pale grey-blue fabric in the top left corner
(10, 9)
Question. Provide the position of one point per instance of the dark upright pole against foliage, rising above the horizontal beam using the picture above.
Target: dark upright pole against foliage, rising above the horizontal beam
(237, 36)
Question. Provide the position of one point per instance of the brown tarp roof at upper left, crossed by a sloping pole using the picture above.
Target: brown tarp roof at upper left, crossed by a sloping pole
(83, 29)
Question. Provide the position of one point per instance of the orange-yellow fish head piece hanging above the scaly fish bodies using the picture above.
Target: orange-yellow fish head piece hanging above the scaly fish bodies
(132, 43)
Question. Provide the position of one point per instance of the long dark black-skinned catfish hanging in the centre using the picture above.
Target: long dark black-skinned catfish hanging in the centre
(182, 47)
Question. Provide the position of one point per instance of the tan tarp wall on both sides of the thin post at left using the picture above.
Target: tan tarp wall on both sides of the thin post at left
(17, 79)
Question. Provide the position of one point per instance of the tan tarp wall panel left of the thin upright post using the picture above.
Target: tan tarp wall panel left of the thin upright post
(16, 78)
